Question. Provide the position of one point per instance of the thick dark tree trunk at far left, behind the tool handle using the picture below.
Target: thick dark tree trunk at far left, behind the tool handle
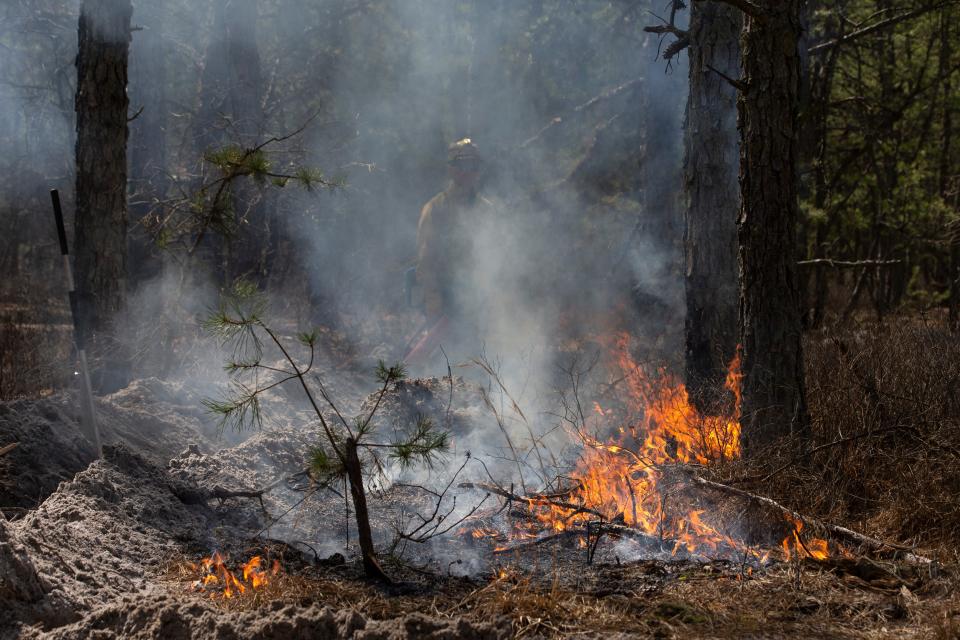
(101, 166)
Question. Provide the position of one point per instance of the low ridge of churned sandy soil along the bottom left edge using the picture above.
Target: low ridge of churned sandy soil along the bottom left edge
(168, 619)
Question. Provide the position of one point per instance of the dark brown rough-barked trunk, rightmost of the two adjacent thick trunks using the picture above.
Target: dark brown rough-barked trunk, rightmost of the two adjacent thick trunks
(774, 403)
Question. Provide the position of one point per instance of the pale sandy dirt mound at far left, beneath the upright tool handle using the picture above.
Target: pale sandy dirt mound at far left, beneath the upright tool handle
(100, 536)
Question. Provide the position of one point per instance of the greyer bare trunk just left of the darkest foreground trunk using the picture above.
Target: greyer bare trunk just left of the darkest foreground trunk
(713, 199)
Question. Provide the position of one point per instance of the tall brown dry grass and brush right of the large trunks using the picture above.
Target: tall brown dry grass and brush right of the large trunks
(885, 407)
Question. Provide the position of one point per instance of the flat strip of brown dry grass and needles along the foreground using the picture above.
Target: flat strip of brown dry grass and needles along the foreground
(646, 599)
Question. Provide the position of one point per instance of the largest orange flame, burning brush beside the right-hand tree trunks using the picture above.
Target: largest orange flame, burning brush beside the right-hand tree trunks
(621, 477)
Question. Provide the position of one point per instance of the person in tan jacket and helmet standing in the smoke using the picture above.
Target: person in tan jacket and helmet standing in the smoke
(445, 253)
